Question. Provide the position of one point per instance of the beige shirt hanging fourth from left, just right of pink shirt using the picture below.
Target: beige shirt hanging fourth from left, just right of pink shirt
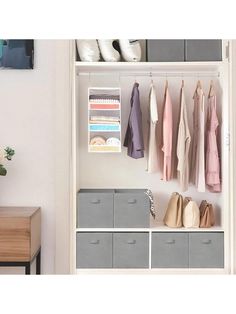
(183, 145)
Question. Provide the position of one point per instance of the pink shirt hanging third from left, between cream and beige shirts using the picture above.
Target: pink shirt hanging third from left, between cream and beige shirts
(167, 136)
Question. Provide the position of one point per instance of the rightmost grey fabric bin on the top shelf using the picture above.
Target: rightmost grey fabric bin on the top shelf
(203, 50)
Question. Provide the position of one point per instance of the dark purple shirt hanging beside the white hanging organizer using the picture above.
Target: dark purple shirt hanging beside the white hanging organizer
(134, 132)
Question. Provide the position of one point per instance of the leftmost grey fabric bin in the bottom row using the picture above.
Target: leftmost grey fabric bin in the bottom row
(93, 250)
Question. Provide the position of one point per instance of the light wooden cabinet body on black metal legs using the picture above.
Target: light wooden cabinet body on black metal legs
(20, 235)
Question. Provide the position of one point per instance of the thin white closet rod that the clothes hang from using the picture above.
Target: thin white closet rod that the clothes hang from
(179, 74)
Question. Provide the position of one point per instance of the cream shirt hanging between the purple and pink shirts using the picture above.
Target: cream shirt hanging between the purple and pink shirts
(152, 165)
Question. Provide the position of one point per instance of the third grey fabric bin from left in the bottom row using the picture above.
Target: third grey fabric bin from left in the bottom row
(170, 250)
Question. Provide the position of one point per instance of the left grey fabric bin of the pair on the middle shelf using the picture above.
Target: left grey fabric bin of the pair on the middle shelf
(95, 208)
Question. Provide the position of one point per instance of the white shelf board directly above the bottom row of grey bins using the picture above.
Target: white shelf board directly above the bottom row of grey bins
(161, 228)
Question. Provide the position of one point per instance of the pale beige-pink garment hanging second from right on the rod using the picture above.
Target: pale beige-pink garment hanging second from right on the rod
(198, 151)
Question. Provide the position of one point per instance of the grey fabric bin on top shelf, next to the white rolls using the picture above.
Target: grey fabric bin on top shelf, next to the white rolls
(165, 50)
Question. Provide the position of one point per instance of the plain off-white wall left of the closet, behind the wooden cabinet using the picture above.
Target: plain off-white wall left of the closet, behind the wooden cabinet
(28, 111)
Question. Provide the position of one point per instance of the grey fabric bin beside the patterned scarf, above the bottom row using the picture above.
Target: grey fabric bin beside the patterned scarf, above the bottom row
(131, 208)
